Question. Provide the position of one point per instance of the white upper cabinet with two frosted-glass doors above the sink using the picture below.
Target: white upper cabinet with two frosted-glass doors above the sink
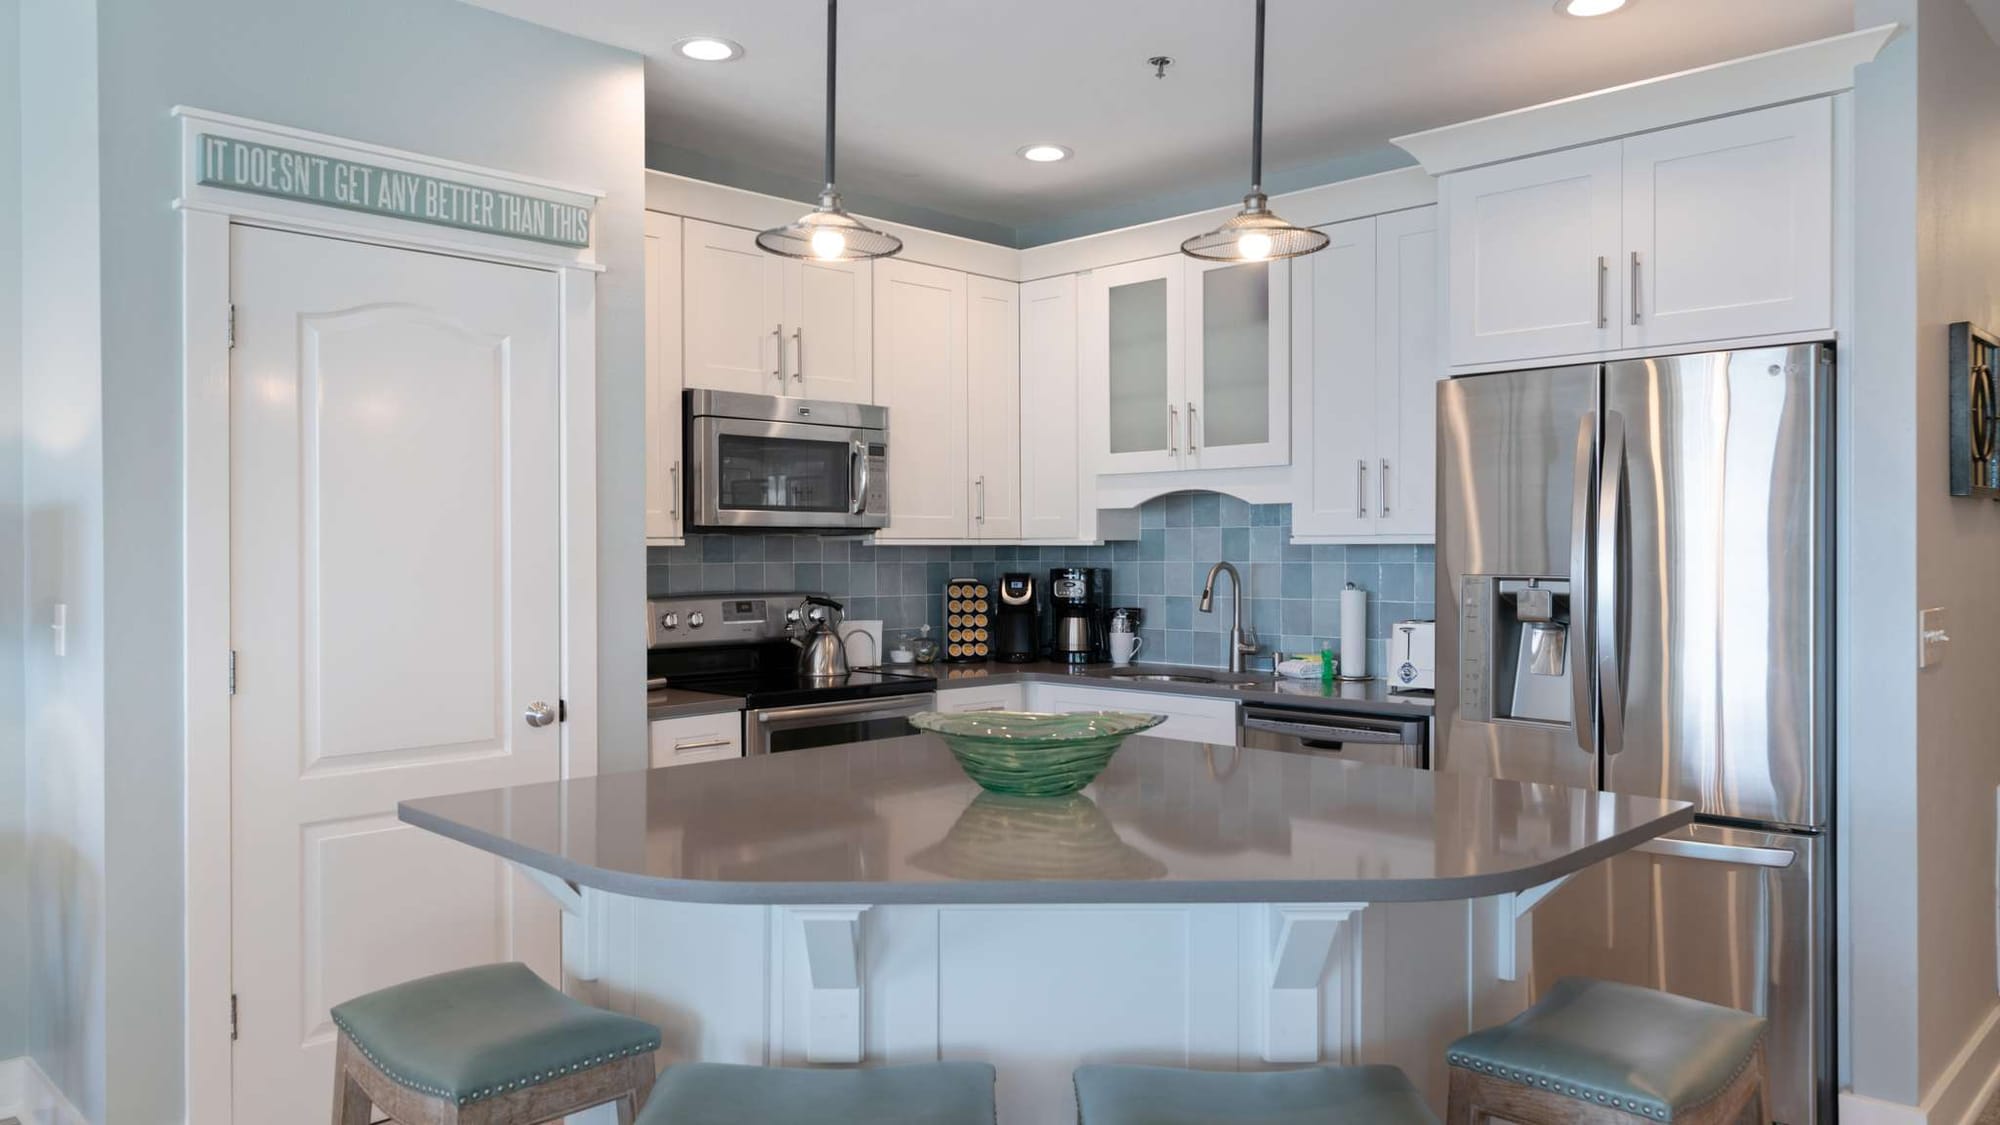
(1193, 365)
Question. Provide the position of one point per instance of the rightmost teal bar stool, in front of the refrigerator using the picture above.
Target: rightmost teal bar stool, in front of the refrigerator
(1603, 1054)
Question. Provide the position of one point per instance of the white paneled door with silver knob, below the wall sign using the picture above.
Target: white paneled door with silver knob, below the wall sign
(397, 622)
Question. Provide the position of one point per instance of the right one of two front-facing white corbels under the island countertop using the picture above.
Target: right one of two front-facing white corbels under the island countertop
(1305, 940)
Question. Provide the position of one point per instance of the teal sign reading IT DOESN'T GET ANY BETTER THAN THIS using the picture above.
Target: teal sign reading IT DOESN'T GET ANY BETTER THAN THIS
(351, 185)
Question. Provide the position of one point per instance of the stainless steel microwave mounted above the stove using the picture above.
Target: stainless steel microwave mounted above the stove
(767, 463)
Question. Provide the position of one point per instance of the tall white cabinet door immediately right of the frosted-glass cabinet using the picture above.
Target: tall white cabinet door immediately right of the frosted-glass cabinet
(1337, 383)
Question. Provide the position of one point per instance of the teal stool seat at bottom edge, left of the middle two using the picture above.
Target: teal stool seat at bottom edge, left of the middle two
(921, 1094)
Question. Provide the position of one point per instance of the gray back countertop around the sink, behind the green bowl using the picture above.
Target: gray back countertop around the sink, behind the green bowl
(1365, 698)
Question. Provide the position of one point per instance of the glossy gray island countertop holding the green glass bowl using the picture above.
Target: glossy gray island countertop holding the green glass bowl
(897, 822)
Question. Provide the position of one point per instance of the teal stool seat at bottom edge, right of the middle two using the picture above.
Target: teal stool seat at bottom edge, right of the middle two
(1317, 1096)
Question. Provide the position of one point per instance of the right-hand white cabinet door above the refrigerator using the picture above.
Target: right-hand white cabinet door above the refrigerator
(1729, 227)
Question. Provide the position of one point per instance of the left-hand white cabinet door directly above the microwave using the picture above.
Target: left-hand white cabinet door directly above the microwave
(735, 311)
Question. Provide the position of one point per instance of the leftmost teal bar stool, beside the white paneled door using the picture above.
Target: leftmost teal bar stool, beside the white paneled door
(489, 1046)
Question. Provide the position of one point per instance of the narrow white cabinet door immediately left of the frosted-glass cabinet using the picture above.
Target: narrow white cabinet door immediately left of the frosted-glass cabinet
(1051, 469)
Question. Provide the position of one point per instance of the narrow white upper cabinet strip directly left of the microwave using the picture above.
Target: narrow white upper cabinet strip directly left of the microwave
(663, 381)
